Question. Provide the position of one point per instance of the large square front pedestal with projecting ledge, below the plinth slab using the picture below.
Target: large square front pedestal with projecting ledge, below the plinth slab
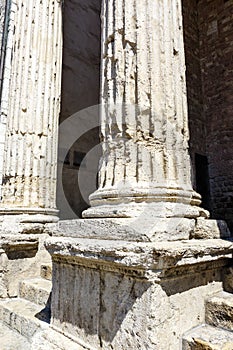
(128, 295)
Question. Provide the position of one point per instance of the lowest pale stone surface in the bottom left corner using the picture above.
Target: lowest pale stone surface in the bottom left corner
(11, 340)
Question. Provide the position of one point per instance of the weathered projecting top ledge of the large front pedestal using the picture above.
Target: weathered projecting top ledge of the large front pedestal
(143, 256)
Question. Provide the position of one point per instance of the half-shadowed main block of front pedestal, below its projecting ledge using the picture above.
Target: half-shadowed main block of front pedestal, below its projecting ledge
(123, 312)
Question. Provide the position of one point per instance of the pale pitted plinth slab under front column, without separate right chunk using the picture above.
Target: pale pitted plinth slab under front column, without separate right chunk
(141, 228)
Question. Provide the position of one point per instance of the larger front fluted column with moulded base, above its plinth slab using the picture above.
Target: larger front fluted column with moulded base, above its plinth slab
(144, 124)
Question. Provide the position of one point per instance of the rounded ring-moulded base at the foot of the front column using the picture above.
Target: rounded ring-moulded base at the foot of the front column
(143, 203)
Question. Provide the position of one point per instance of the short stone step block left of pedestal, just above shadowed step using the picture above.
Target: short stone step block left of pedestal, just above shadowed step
(36, 290)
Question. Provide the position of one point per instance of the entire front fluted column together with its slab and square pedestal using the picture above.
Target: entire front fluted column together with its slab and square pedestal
(132, 275)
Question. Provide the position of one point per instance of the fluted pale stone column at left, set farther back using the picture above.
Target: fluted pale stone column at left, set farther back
(29, 175)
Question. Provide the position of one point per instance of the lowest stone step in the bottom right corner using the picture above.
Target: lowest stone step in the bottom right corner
(206, 337)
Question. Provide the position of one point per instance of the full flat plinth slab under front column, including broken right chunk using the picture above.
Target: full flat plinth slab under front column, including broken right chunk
(143, 228)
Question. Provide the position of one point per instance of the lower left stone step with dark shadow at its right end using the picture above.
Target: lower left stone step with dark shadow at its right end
(23, 316)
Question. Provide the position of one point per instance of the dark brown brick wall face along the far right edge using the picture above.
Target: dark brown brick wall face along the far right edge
(216, 52)
